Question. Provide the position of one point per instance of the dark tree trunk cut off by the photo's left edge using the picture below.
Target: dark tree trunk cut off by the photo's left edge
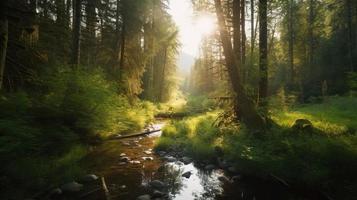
(3, 42)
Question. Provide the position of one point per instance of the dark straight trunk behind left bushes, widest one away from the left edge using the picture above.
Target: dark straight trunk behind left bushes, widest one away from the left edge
(76, 32)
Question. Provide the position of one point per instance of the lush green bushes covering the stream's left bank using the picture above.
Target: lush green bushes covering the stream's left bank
(44, 129)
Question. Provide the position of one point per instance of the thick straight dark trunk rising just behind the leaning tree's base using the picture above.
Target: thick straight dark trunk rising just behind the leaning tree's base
(263, 54)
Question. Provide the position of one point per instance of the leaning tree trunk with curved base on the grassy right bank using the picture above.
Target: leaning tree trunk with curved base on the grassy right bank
(244, 107)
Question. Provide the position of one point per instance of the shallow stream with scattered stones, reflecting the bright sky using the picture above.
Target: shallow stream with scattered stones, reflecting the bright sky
(130, 165)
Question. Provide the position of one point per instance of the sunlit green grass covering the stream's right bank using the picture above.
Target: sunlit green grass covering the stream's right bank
(326, 161)
